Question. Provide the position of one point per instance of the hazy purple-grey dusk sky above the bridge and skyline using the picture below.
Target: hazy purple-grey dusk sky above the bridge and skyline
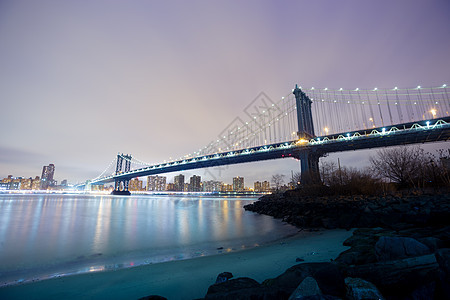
(81, 81)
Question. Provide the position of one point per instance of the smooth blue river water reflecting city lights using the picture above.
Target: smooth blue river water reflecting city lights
(49, 235)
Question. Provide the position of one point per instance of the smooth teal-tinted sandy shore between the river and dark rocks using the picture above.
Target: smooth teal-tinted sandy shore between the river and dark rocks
(187, 279)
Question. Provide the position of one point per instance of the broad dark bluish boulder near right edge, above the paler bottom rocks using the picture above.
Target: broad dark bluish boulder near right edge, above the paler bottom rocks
(392, 248)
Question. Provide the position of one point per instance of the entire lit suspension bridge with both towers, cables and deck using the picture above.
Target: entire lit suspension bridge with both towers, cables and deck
(307, 124)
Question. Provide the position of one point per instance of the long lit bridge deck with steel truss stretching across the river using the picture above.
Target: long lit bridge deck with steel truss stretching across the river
(400, 134)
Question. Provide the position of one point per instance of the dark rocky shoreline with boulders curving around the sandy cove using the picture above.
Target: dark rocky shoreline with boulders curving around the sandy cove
(400, 251)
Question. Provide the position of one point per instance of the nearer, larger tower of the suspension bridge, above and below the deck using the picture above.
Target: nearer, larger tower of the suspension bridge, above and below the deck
(309, 160)
